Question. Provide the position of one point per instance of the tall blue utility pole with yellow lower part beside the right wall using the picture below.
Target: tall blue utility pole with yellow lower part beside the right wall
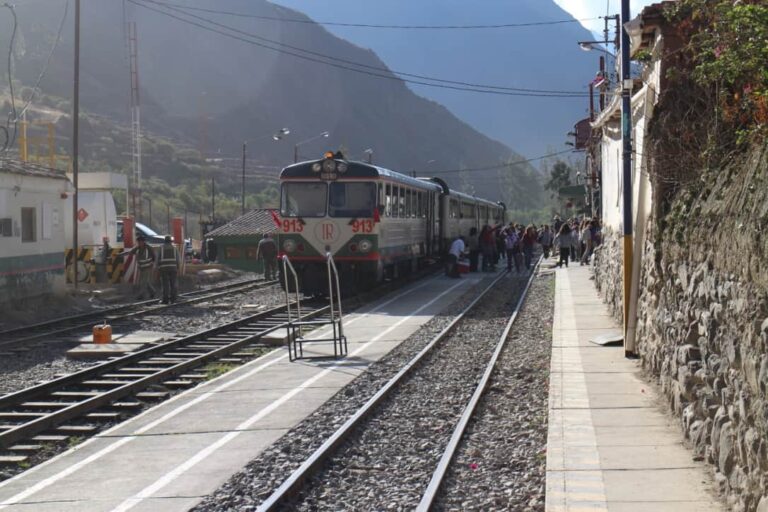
(626, 137)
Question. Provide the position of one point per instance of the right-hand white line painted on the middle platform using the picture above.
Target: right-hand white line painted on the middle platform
(211, 448)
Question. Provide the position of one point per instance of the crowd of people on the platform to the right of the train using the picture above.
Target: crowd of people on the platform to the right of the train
(515, 243)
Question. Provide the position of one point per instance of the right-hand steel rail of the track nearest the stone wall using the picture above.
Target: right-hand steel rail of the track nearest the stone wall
(438, 476)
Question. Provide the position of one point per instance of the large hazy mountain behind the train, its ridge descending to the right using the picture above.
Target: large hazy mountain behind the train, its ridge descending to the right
(212, 91)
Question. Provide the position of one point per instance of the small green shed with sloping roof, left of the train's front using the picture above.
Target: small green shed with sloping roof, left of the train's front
(237, 241)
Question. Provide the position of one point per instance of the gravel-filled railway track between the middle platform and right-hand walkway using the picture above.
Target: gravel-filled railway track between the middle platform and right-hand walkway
(313, 481)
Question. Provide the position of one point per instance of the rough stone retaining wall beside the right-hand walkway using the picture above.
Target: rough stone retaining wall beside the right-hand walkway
(703, 322)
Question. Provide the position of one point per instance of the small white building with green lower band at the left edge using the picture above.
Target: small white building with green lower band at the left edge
(33, 218)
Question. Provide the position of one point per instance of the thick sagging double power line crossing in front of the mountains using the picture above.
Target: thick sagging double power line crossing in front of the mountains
(443, 84)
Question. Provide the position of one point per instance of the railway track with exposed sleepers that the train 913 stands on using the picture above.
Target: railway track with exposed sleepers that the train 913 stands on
(84, 402)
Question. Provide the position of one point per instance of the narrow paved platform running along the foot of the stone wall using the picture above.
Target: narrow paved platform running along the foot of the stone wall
(610, 445)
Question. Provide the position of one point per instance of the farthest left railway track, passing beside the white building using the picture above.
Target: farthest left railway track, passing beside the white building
(13, 338)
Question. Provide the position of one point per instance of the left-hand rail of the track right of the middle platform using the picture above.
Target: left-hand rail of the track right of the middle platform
(292, 485)
